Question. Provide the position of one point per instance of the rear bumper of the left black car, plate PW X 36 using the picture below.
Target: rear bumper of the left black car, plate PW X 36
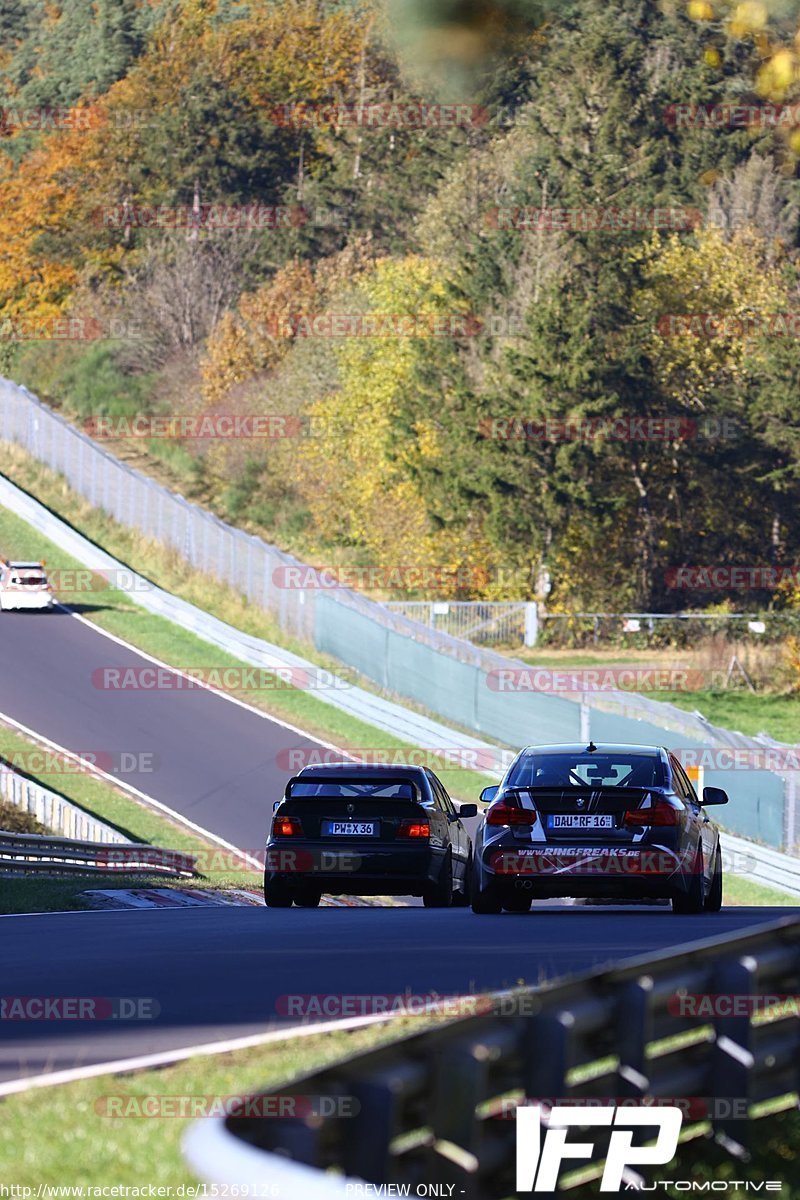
(350, 871)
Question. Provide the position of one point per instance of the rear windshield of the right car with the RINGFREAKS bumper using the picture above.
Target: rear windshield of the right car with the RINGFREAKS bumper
(585, 770)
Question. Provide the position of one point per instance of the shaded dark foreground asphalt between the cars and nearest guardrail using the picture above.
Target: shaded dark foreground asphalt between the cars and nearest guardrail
(216, 974)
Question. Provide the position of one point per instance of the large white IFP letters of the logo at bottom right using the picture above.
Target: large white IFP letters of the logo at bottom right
(539, 1160)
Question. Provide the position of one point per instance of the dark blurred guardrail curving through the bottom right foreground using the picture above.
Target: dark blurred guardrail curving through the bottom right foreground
(440, 1107)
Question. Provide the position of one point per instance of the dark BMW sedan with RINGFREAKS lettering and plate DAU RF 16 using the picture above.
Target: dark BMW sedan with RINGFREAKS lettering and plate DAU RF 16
(598, 821)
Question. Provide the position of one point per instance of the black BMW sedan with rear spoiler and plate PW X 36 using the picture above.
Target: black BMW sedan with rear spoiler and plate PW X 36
(358, 830)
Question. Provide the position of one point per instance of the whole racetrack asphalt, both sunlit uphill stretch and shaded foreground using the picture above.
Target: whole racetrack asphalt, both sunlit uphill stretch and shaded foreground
(216, 974)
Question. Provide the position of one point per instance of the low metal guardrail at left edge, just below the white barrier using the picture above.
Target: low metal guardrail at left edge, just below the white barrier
(22, 854)
